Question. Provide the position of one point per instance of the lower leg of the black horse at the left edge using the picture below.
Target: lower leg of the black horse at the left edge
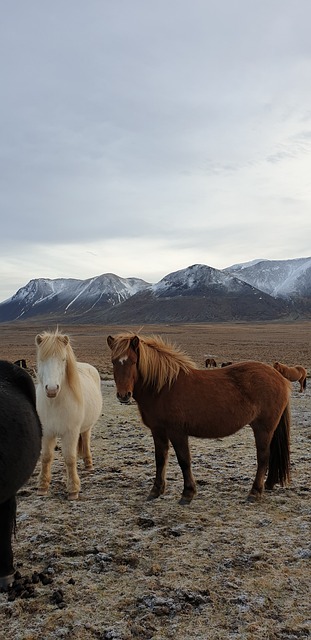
(7, 525)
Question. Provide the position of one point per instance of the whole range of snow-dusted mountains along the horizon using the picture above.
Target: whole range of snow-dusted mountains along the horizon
(260, 290)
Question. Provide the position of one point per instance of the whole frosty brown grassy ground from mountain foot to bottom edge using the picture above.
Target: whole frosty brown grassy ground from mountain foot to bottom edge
(120, 567)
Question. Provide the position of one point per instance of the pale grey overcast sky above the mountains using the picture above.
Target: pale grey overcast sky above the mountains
(139, 138)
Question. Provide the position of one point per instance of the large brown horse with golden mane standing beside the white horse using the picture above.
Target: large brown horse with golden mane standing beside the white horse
(177, 400)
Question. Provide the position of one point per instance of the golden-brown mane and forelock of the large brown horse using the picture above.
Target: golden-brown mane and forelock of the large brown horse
(159, 361)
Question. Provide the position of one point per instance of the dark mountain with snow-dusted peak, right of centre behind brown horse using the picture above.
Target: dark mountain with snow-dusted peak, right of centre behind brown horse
(196, 294)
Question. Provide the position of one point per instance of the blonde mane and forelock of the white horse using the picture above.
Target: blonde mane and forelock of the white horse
(57, 344)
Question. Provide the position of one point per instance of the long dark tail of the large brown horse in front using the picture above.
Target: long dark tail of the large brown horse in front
(279, 461)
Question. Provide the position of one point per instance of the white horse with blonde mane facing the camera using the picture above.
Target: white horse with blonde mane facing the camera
(69, 403)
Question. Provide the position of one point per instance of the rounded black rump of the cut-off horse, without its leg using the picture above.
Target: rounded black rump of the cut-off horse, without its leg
(20, 429)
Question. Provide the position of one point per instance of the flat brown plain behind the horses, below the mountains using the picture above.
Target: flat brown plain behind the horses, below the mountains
(286, 342)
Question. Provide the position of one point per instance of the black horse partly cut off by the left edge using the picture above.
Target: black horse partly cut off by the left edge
(20, 444)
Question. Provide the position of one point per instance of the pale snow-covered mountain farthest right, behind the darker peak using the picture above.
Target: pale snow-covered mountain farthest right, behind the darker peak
(278, 278)
